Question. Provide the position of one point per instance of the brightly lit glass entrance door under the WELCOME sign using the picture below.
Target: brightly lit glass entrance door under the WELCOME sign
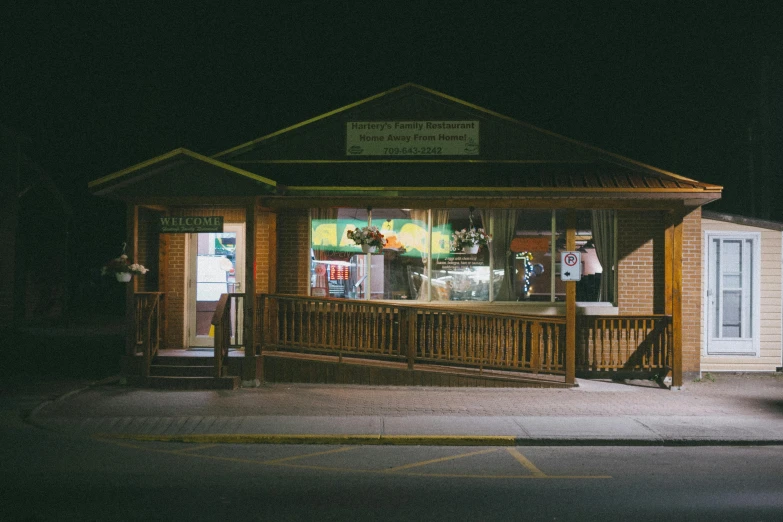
(216, 263)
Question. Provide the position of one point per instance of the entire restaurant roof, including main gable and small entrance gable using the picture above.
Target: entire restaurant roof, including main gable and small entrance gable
(314, 162)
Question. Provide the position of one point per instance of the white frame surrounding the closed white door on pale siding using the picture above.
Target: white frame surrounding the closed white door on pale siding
(710, 349)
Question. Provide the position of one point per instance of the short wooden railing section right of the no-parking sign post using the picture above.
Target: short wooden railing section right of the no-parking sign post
(624, 344)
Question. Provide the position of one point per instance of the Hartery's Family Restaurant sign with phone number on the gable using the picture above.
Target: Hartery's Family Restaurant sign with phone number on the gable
(412, 138)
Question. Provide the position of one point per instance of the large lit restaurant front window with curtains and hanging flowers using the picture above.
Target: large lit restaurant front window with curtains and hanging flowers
(428, 258)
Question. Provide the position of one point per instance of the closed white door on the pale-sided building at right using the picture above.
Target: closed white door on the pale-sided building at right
(732, 294)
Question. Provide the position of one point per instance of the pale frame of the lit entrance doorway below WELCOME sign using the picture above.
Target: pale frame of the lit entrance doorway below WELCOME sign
(191, 244)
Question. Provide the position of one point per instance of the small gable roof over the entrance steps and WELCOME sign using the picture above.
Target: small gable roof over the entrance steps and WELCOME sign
(180, 172)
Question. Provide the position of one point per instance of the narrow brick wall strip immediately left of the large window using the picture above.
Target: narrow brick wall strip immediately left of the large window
(293, 237)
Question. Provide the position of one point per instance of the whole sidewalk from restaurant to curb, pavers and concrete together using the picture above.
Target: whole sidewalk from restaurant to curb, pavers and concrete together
(733, 410)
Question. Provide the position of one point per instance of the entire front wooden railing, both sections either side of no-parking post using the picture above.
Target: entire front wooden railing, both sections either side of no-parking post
(417, 333)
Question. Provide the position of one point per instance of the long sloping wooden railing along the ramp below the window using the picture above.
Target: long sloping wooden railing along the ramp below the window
(413, 333)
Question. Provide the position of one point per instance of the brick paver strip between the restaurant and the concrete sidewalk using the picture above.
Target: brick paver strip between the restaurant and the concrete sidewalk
(729, 394)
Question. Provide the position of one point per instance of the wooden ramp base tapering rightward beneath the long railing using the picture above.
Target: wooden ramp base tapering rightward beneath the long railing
(283, 366)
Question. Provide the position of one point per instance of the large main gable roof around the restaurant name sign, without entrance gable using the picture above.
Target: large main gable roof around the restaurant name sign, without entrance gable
(312, 153)
